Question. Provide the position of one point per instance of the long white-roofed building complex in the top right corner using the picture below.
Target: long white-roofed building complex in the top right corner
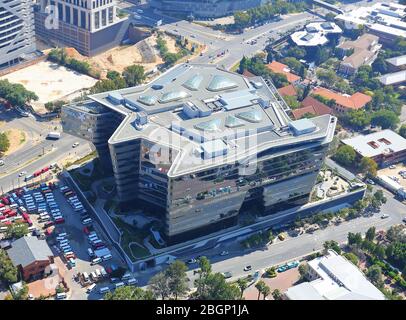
(381, 17)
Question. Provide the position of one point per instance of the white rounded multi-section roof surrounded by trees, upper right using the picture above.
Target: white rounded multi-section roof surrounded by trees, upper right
(315, 34)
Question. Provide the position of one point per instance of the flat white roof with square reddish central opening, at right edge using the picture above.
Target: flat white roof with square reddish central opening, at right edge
(374, 144)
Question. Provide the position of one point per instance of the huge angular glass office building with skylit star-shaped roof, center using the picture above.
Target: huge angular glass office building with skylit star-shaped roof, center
(200, 144)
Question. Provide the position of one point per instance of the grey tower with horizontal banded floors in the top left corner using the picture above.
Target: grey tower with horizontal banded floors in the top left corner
(17, 38)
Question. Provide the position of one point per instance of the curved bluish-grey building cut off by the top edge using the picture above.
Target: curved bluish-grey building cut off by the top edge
(204, 8)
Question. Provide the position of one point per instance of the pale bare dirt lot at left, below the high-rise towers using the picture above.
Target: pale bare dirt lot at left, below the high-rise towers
(50, 82)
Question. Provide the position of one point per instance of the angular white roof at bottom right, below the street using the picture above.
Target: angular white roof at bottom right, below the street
(336, 278)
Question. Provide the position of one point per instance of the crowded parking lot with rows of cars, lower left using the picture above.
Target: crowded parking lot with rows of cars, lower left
(53, 212)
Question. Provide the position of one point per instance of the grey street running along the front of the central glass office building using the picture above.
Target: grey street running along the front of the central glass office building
(282, 251)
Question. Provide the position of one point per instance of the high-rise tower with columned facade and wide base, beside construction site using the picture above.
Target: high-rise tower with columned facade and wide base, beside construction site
(90, 26)
